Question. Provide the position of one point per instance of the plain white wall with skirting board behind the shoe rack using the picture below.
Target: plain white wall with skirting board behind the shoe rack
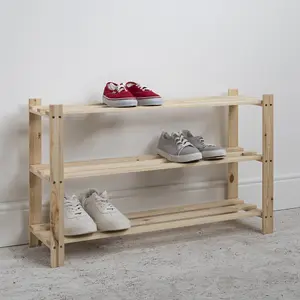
(65, 51)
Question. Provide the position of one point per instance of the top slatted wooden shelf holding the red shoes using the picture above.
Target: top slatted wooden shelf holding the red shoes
(194, 102)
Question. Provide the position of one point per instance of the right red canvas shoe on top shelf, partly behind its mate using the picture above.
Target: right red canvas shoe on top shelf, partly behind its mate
(143, 95)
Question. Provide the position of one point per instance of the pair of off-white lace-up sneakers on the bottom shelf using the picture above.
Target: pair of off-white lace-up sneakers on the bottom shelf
(91, 212)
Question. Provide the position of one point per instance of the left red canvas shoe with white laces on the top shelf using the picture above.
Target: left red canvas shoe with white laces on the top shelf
(118, 96)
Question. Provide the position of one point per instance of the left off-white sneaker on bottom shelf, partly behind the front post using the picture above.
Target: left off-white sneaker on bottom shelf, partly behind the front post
(77, 221)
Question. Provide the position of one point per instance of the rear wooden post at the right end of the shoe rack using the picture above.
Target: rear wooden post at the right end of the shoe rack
(233, 141)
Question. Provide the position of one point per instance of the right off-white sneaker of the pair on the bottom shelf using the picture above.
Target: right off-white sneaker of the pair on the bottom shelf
(106, 216)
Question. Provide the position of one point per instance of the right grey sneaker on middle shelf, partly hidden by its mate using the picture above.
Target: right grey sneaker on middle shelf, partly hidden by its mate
(209, 151)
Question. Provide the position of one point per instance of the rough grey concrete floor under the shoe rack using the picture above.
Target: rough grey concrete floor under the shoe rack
(231, 260)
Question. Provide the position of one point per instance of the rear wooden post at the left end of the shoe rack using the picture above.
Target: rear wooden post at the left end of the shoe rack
(35, 183)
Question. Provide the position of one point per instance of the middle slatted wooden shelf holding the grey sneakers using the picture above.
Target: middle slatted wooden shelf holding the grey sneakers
(110, 166)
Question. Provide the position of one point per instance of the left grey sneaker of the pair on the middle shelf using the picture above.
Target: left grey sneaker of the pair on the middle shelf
(177, 148)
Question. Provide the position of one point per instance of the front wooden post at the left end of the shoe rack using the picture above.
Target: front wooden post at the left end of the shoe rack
(57, 186)
